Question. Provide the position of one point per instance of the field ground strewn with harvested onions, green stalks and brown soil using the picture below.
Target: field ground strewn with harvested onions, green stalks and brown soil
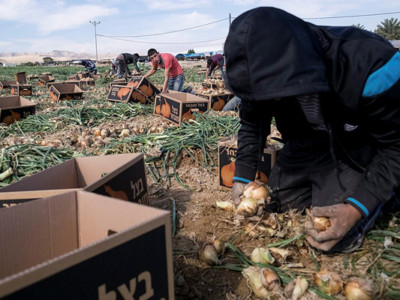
(218, 253)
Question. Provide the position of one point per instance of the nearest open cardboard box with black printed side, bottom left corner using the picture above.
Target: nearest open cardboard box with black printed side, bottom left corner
(80, 245)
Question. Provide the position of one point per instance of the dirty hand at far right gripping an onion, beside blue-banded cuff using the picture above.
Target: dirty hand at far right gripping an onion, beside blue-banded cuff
(342, 218)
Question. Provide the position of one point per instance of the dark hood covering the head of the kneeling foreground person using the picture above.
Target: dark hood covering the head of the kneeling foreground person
(271, 53)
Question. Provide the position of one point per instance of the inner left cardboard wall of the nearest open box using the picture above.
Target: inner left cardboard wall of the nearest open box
(36, 232)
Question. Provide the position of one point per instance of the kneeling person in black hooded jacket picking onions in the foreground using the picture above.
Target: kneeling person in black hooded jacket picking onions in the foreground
(335, 95)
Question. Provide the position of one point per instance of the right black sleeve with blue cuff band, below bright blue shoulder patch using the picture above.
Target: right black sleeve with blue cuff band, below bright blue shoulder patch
(382, 119)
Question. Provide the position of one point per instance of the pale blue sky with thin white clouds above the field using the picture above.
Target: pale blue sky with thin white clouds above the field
(172, 26)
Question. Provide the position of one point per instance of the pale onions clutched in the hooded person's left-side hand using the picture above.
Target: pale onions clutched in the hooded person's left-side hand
(255, 194)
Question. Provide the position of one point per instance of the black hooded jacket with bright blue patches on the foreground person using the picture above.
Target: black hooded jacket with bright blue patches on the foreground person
(272, 54)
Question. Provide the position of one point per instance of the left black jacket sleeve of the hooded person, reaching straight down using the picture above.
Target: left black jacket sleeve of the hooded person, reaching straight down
(255, 126)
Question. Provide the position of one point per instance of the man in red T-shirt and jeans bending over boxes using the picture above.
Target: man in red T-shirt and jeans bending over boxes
(174, 76)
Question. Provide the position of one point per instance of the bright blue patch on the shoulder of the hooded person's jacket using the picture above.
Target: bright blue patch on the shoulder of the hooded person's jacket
(383, 78)
